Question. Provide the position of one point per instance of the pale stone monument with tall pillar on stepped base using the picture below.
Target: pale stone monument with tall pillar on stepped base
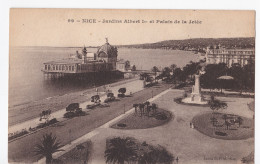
(195, 97)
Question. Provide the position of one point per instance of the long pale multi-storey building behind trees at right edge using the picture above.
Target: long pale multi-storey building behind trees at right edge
(229, 56)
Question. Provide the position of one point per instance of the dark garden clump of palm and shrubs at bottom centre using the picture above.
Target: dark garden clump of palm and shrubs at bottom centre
(129, 150)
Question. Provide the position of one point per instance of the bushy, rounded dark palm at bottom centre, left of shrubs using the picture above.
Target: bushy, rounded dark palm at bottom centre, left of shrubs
(120, 150)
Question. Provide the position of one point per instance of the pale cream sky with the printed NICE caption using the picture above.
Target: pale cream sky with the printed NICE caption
(50, 27)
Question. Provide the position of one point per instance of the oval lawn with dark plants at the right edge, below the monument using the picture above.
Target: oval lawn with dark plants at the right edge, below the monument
(203, 123)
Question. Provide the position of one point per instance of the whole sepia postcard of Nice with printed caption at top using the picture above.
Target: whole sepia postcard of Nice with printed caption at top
(131, 86)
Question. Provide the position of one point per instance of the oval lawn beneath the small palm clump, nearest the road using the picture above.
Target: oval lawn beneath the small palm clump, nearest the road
(135, 121)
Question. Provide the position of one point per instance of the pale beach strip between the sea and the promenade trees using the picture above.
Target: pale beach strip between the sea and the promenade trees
(31, 110)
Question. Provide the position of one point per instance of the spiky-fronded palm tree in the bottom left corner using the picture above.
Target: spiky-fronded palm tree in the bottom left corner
(47, 147)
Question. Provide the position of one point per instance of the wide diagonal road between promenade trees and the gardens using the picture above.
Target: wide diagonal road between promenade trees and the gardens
(21, 150)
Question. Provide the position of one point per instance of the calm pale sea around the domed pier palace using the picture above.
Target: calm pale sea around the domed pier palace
(27, 83)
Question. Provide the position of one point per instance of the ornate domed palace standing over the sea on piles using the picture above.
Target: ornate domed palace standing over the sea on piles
(102, 61)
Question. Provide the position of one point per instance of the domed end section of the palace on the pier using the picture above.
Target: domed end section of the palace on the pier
(108, 54)
